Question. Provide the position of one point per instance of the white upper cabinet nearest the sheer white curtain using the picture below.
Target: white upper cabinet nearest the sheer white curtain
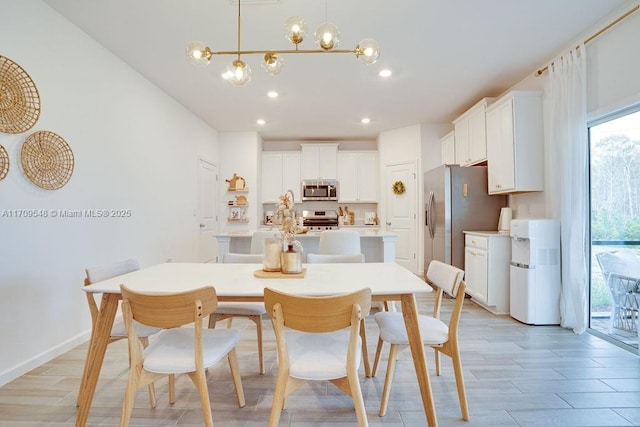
(515, 143)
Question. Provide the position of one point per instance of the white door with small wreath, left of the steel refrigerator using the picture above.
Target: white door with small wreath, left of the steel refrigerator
(401, 216)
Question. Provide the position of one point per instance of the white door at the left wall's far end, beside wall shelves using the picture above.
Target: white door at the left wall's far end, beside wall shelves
(207, 209)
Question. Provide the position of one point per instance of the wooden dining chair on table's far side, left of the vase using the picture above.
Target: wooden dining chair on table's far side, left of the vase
(249, 310)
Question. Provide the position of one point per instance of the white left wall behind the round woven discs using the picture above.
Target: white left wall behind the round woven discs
(134, 148)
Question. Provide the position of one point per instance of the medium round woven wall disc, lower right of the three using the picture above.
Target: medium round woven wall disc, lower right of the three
(47, 160)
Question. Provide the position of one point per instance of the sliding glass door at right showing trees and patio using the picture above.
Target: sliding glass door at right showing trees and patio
(615, 226)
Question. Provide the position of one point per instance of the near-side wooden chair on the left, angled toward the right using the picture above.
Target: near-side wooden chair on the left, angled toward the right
(177, 350)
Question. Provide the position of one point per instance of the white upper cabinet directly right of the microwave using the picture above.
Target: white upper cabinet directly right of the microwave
(358, 176)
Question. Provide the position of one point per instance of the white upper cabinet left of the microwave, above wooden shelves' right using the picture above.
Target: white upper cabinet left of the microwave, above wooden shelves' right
(280, 172)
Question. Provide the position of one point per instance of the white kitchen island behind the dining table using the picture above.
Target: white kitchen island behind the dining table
(376, 245)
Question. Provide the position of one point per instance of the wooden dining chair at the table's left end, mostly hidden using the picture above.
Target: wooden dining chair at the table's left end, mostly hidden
(118, 331)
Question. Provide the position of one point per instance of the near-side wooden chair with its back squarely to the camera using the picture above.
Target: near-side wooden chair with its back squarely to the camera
(318, 339)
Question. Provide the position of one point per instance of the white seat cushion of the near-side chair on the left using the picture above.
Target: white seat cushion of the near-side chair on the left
(172, 351)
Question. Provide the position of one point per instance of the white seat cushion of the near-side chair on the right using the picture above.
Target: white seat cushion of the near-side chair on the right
(319, 356)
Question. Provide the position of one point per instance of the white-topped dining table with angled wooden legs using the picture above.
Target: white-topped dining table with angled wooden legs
(238, 282)
